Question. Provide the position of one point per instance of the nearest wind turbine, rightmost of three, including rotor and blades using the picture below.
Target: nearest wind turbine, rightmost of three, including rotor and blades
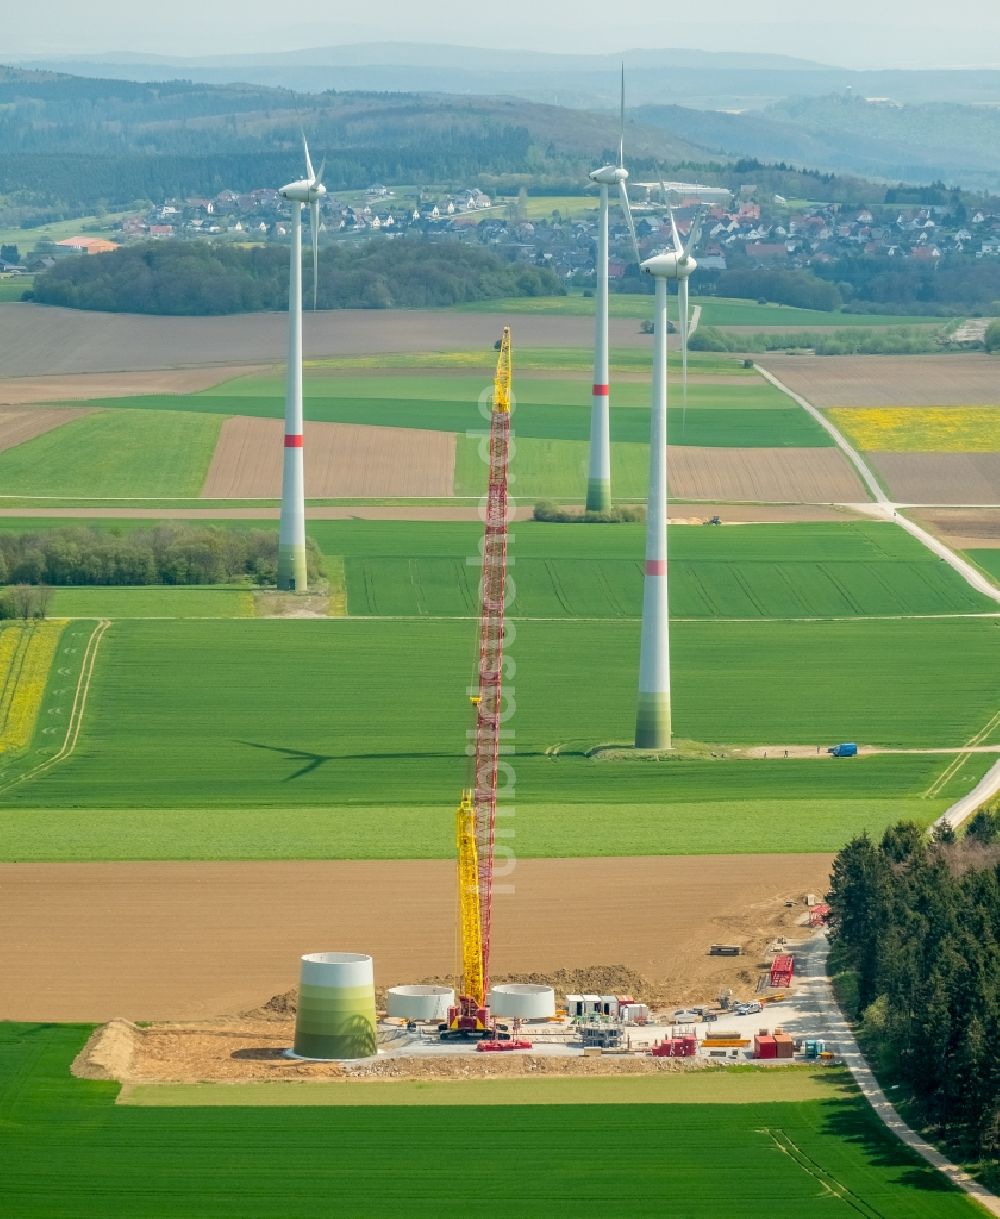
(653, 719)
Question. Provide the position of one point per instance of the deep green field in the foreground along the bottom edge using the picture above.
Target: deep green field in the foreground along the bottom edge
(73, 1154)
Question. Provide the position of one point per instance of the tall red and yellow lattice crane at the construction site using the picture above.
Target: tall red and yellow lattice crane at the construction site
(476, 830)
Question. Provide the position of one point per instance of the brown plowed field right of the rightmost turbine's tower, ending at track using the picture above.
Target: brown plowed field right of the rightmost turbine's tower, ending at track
(810, 476)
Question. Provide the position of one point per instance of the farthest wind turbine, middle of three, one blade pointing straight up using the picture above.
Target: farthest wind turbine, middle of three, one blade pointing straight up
(599, 474)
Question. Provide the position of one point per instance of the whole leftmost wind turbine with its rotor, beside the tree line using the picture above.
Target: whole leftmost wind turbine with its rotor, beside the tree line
(292, 528)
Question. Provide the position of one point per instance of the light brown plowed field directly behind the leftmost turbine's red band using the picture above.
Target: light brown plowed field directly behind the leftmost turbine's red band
(341, 460)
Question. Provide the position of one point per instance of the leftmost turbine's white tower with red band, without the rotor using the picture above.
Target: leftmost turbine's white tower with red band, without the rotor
(292, 528)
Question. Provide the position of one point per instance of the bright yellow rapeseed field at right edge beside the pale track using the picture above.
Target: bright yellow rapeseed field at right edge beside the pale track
(969, 430)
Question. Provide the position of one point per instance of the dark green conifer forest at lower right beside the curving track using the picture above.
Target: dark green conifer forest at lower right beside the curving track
(918, 923)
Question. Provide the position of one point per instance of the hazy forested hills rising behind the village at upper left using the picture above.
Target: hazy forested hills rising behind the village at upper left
(70, 144)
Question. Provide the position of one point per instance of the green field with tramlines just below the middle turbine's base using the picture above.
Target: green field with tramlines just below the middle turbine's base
(803, 571)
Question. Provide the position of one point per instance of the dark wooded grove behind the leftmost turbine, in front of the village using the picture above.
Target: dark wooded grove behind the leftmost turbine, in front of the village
(202, 277)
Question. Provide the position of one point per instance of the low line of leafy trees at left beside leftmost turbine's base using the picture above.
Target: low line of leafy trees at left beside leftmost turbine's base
(168, 554)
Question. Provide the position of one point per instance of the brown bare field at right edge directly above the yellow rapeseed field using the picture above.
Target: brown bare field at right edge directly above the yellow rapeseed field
(969, 380)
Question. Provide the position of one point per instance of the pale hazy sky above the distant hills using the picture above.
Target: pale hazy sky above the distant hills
(868, 34)
